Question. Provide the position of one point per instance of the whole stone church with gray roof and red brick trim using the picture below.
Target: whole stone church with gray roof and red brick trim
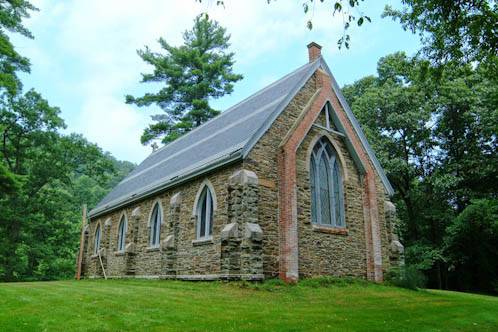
(283, 184)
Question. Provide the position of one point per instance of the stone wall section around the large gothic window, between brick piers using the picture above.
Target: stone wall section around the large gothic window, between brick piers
(322, 250)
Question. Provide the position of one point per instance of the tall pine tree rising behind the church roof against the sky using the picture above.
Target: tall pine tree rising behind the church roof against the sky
(192, 73)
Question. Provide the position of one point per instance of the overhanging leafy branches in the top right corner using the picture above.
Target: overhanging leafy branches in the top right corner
(463, 31)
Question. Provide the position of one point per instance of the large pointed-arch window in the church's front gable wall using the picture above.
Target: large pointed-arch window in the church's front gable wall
(327, 200)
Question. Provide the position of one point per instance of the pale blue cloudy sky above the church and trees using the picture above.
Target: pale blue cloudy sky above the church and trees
(84, 56)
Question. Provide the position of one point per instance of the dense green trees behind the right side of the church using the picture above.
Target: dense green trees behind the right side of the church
(434, 130)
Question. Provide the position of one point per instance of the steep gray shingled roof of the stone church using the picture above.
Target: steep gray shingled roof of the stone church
(224, 139)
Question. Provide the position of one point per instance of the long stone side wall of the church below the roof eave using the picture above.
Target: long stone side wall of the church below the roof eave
(180, 254)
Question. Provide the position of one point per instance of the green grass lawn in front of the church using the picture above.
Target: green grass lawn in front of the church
(144, 305)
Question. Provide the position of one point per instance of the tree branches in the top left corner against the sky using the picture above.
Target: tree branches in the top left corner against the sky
(11, 14)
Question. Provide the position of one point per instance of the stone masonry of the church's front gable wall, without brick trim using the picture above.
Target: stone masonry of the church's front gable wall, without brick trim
(321, 251)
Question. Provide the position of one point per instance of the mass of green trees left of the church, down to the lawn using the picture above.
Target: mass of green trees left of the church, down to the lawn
(45, 177)
